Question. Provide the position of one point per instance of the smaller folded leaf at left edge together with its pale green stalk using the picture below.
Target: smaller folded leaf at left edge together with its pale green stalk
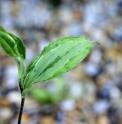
(14, 47)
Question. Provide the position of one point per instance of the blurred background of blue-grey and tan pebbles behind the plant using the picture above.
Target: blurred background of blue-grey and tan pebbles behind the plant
(91, 93)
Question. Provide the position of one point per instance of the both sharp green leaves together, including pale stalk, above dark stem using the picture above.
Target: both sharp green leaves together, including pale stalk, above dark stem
(58, 57)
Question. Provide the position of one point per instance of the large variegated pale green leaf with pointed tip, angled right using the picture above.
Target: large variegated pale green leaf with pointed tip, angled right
(58, 57)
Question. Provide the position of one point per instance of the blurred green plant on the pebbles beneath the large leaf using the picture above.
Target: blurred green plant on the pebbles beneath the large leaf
(53, 95)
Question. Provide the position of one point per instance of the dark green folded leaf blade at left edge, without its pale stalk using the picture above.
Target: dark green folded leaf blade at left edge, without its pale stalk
(11, 44)
